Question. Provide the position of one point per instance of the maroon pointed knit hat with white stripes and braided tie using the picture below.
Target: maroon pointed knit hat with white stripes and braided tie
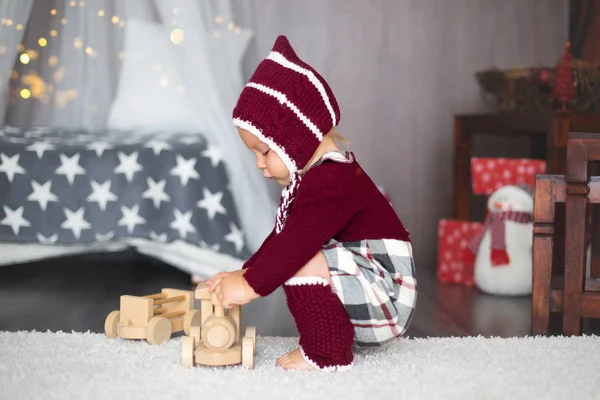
(290, 107)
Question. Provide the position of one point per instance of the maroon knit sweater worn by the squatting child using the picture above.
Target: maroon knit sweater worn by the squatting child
(334, 201)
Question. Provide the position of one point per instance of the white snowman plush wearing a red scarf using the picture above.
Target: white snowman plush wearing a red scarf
(502, 251)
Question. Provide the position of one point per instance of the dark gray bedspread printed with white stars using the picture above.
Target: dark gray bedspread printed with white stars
(72, 186)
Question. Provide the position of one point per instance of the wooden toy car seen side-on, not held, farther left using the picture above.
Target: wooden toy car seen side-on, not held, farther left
(153, 317)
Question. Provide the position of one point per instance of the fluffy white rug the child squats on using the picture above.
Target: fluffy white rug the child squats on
(45, 365)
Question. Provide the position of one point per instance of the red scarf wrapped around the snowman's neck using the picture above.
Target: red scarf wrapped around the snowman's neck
(495, 222)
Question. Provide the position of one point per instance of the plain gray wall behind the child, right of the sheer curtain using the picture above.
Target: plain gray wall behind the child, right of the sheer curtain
(400, 70)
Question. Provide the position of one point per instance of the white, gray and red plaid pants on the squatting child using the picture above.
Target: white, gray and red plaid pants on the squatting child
(376, 282)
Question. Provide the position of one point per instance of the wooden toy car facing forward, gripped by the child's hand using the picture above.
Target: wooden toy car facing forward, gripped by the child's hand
(216, 341)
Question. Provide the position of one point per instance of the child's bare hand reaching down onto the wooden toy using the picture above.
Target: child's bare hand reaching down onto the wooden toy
(232, 289)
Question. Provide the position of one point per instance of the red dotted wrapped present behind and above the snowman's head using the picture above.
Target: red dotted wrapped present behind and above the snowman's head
(490, 174)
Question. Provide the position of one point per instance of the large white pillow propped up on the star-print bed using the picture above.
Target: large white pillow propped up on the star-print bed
(151, 94)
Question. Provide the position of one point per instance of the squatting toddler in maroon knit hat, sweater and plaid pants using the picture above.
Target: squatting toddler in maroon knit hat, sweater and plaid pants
(338, 248)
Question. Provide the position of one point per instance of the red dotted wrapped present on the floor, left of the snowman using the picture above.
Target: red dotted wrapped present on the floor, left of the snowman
(453, 238)
